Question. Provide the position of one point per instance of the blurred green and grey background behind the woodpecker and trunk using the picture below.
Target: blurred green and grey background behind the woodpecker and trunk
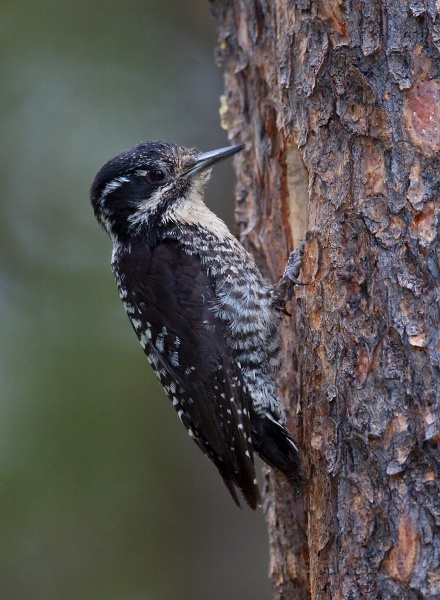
(102, 494)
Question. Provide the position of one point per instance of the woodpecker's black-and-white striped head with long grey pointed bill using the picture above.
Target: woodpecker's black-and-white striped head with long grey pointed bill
(144, 185)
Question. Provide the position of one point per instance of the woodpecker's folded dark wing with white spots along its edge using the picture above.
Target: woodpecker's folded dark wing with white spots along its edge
(172, 297)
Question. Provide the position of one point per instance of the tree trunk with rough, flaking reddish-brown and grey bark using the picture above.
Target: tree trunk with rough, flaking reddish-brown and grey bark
(351, 92)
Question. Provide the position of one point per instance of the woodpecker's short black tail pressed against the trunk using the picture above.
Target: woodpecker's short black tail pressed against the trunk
(274, 444)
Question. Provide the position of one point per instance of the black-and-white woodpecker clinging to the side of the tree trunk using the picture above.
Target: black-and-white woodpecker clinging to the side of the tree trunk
(204, 315)
